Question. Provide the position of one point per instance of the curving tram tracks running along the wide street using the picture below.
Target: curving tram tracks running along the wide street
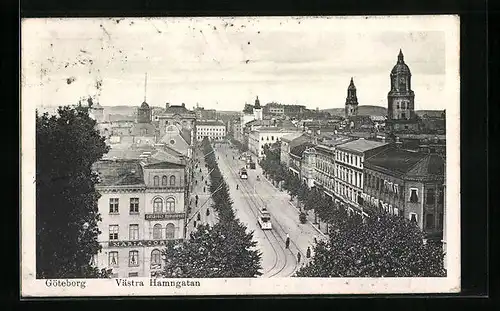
(272, 237)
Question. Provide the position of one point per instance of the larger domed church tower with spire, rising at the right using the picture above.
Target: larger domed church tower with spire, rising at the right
(401, 98)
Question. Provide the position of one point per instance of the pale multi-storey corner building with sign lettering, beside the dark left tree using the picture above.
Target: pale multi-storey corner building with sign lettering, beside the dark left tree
(142, 206)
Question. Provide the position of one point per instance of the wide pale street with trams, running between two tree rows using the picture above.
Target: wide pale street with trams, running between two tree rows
(253, 194)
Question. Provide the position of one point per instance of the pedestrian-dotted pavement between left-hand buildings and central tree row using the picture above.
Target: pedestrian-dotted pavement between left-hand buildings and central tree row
(204, 200)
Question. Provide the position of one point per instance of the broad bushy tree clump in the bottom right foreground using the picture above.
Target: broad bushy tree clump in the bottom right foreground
(383, 246)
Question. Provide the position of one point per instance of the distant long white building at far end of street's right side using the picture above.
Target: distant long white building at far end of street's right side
(266, 135)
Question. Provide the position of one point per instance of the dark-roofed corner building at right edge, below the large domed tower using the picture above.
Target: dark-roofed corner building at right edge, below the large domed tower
(407, 184)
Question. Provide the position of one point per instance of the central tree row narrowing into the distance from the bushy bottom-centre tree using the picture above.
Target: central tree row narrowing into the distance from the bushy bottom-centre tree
(223, 250)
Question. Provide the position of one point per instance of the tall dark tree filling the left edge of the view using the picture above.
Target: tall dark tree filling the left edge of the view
(67, 145)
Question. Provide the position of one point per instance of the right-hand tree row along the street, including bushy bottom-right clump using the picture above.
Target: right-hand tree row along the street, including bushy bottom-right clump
(380, 246)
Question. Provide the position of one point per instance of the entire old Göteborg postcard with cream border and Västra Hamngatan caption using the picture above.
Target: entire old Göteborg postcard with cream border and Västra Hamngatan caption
(240, 155)
